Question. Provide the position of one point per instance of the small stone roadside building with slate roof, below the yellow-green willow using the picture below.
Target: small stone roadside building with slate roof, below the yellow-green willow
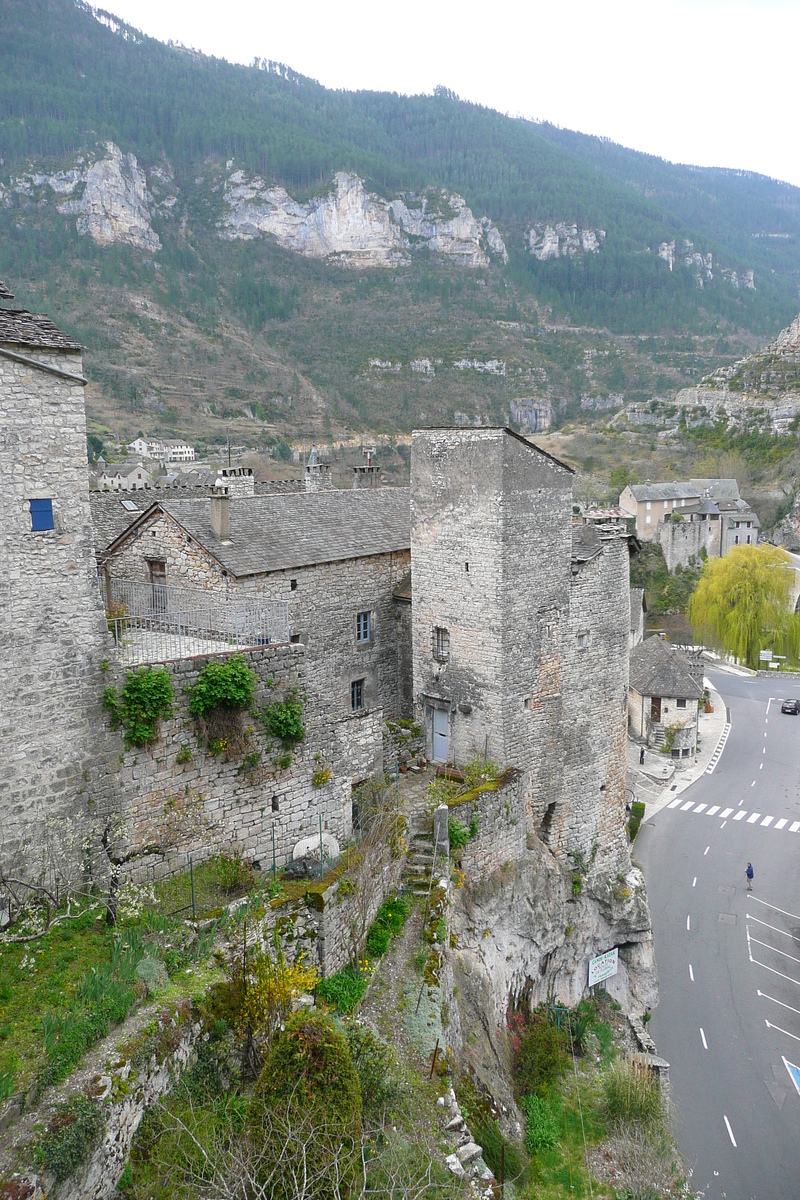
(664, 697)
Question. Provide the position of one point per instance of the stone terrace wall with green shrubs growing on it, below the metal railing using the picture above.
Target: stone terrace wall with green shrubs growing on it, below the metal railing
(213, 803)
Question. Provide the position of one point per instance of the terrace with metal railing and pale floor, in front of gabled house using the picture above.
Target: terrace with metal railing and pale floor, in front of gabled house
(157, 622)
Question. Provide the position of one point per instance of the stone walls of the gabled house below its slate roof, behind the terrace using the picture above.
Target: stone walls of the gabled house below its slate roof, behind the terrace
(324, 602)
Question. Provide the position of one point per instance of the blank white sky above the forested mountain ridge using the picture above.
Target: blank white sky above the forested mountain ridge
(708, 82)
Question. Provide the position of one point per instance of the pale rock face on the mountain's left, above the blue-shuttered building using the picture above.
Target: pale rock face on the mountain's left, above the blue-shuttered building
(116, 203)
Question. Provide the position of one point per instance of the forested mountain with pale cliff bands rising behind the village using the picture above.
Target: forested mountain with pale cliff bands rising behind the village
(199, 316)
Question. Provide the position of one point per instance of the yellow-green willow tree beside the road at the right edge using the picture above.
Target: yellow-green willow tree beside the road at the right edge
(743, 604)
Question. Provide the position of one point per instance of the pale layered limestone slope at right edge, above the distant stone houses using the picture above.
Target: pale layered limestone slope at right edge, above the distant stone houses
(766, 385)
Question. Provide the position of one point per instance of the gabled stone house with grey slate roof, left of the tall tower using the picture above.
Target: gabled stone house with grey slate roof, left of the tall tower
(335, 556)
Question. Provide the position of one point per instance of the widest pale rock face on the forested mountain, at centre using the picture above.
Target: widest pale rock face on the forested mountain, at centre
(357, 226)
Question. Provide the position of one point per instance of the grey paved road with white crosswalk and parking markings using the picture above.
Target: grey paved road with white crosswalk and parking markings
(729, 1018)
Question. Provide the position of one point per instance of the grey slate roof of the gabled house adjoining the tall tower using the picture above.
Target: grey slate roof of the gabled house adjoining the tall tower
(278, 533)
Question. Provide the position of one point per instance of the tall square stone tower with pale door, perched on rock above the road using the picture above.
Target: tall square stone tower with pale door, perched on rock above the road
(521, 626)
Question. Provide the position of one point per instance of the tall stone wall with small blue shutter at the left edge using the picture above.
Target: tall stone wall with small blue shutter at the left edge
(53, 632)
